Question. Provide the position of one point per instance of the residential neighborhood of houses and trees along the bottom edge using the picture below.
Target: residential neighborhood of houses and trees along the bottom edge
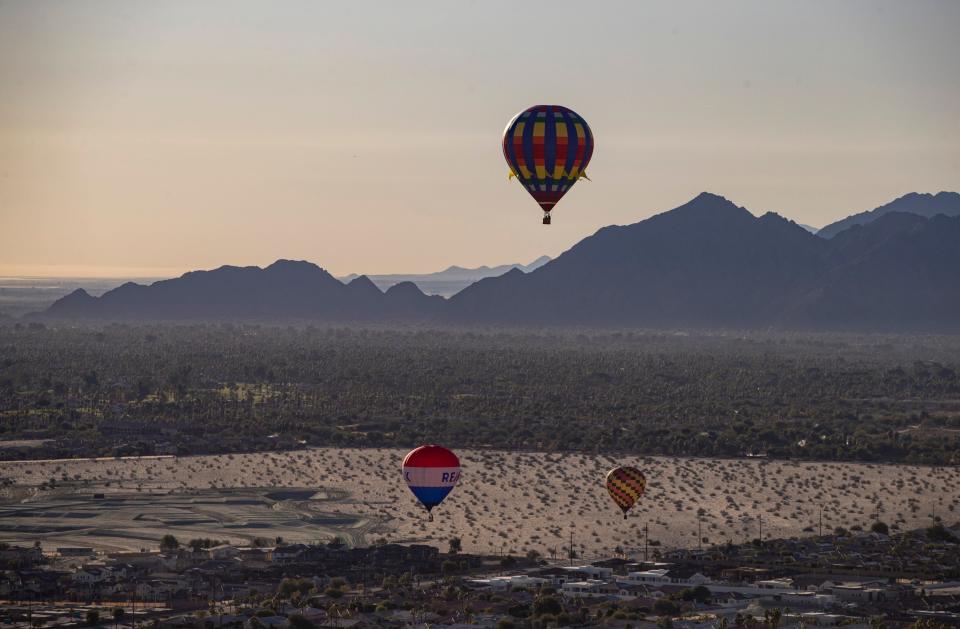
(827, 581)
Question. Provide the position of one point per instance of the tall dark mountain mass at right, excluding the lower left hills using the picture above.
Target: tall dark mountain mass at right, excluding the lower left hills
(710, 263)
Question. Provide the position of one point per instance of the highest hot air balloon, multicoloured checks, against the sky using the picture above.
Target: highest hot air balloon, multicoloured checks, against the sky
(547, 148)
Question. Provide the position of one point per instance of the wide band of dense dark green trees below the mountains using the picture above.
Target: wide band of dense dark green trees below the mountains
(215, 388)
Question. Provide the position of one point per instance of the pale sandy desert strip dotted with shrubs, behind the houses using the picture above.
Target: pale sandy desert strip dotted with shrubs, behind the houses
(506, 501)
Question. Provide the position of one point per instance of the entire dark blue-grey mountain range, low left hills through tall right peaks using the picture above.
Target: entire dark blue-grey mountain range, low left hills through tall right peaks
(707, 263)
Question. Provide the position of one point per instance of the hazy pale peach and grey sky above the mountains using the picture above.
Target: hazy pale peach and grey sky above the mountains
(149, 138)
